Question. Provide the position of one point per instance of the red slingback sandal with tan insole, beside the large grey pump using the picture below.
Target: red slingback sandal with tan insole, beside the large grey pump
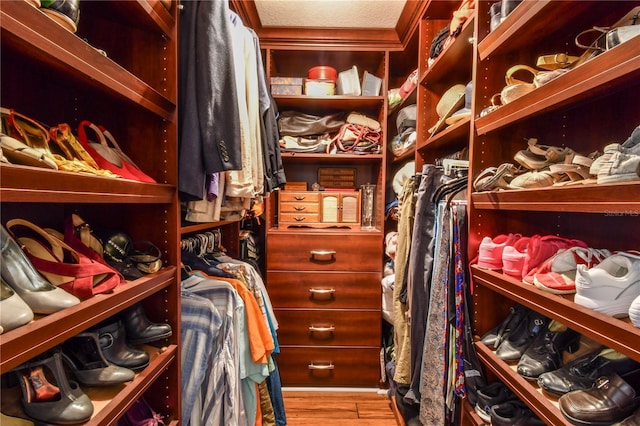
(80, 276)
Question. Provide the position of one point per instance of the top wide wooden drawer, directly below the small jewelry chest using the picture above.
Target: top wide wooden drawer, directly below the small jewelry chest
(300, 251)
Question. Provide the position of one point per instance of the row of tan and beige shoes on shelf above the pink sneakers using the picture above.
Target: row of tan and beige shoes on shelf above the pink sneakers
(542, 166)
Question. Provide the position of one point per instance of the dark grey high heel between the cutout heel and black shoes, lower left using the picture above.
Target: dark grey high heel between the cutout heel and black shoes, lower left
(83, 354)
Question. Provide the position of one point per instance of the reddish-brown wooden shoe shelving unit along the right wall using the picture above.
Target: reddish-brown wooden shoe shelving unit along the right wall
(584, 109)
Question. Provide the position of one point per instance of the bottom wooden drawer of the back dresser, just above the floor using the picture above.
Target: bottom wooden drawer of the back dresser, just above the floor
(352, 367)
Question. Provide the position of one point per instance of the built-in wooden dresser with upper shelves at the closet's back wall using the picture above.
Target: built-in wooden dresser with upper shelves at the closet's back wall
(324, 269)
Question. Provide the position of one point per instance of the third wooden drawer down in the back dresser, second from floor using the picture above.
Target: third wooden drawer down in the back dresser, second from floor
(328, 327)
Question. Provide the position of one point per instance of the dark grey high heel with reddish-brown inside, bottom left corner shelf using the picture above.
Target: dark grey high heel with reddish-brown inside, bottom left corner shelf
(62, 402)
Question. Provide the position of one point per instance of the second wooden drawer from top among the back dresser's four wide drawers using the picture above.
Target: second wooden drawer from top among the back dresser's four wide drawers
(328, 290)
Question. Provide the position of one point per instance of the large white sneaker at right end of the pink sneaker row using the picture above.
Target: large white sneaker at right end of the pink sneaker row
(611, 286)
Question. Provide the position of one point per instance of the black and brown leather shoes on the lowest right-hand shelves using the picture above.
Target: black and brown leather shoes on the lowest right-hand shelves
(598, 386)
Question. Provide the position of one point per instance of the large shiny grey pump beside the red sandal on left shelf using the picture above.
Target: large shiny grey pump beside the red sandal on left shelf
(41, 296)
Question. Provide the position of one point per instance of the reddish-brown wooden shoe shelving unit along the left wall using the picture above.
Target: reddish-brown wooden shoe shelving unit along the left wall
(54, 76)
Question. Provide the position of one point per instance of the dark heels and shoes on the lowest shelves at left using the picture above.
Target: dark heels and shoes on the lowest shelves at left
(105, 355)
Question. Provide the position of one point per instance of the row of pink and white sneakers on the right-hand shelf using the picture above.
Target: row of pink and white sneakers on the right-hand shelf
(602, 280)
